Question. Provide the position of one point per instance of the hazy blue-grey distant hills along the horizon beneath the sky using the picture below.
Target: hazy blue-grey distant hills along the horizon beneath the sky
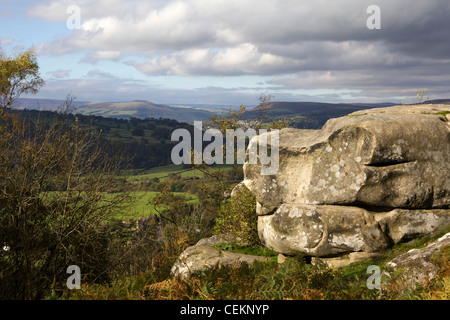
(307, 115)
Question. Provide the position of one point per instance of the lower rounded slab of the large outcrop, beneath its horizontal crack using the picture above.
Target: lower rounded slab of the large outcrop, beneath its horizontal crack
(324, 230)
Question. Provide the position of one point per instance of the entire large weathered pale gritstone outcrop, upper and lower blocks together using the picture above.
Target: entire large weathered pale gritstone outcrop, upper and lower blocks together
(362, 183)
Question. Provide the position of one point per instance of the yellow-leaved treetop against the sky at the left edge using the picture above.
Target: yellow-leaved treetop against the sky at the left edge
(19, 74)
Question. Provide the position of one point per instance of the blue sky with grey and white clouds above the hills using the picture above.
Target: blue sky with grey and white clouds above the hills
(229, 52)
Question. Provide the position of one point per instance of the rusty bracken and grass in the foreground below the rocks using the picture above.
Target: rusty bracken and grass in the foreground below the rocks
(293, 280)
